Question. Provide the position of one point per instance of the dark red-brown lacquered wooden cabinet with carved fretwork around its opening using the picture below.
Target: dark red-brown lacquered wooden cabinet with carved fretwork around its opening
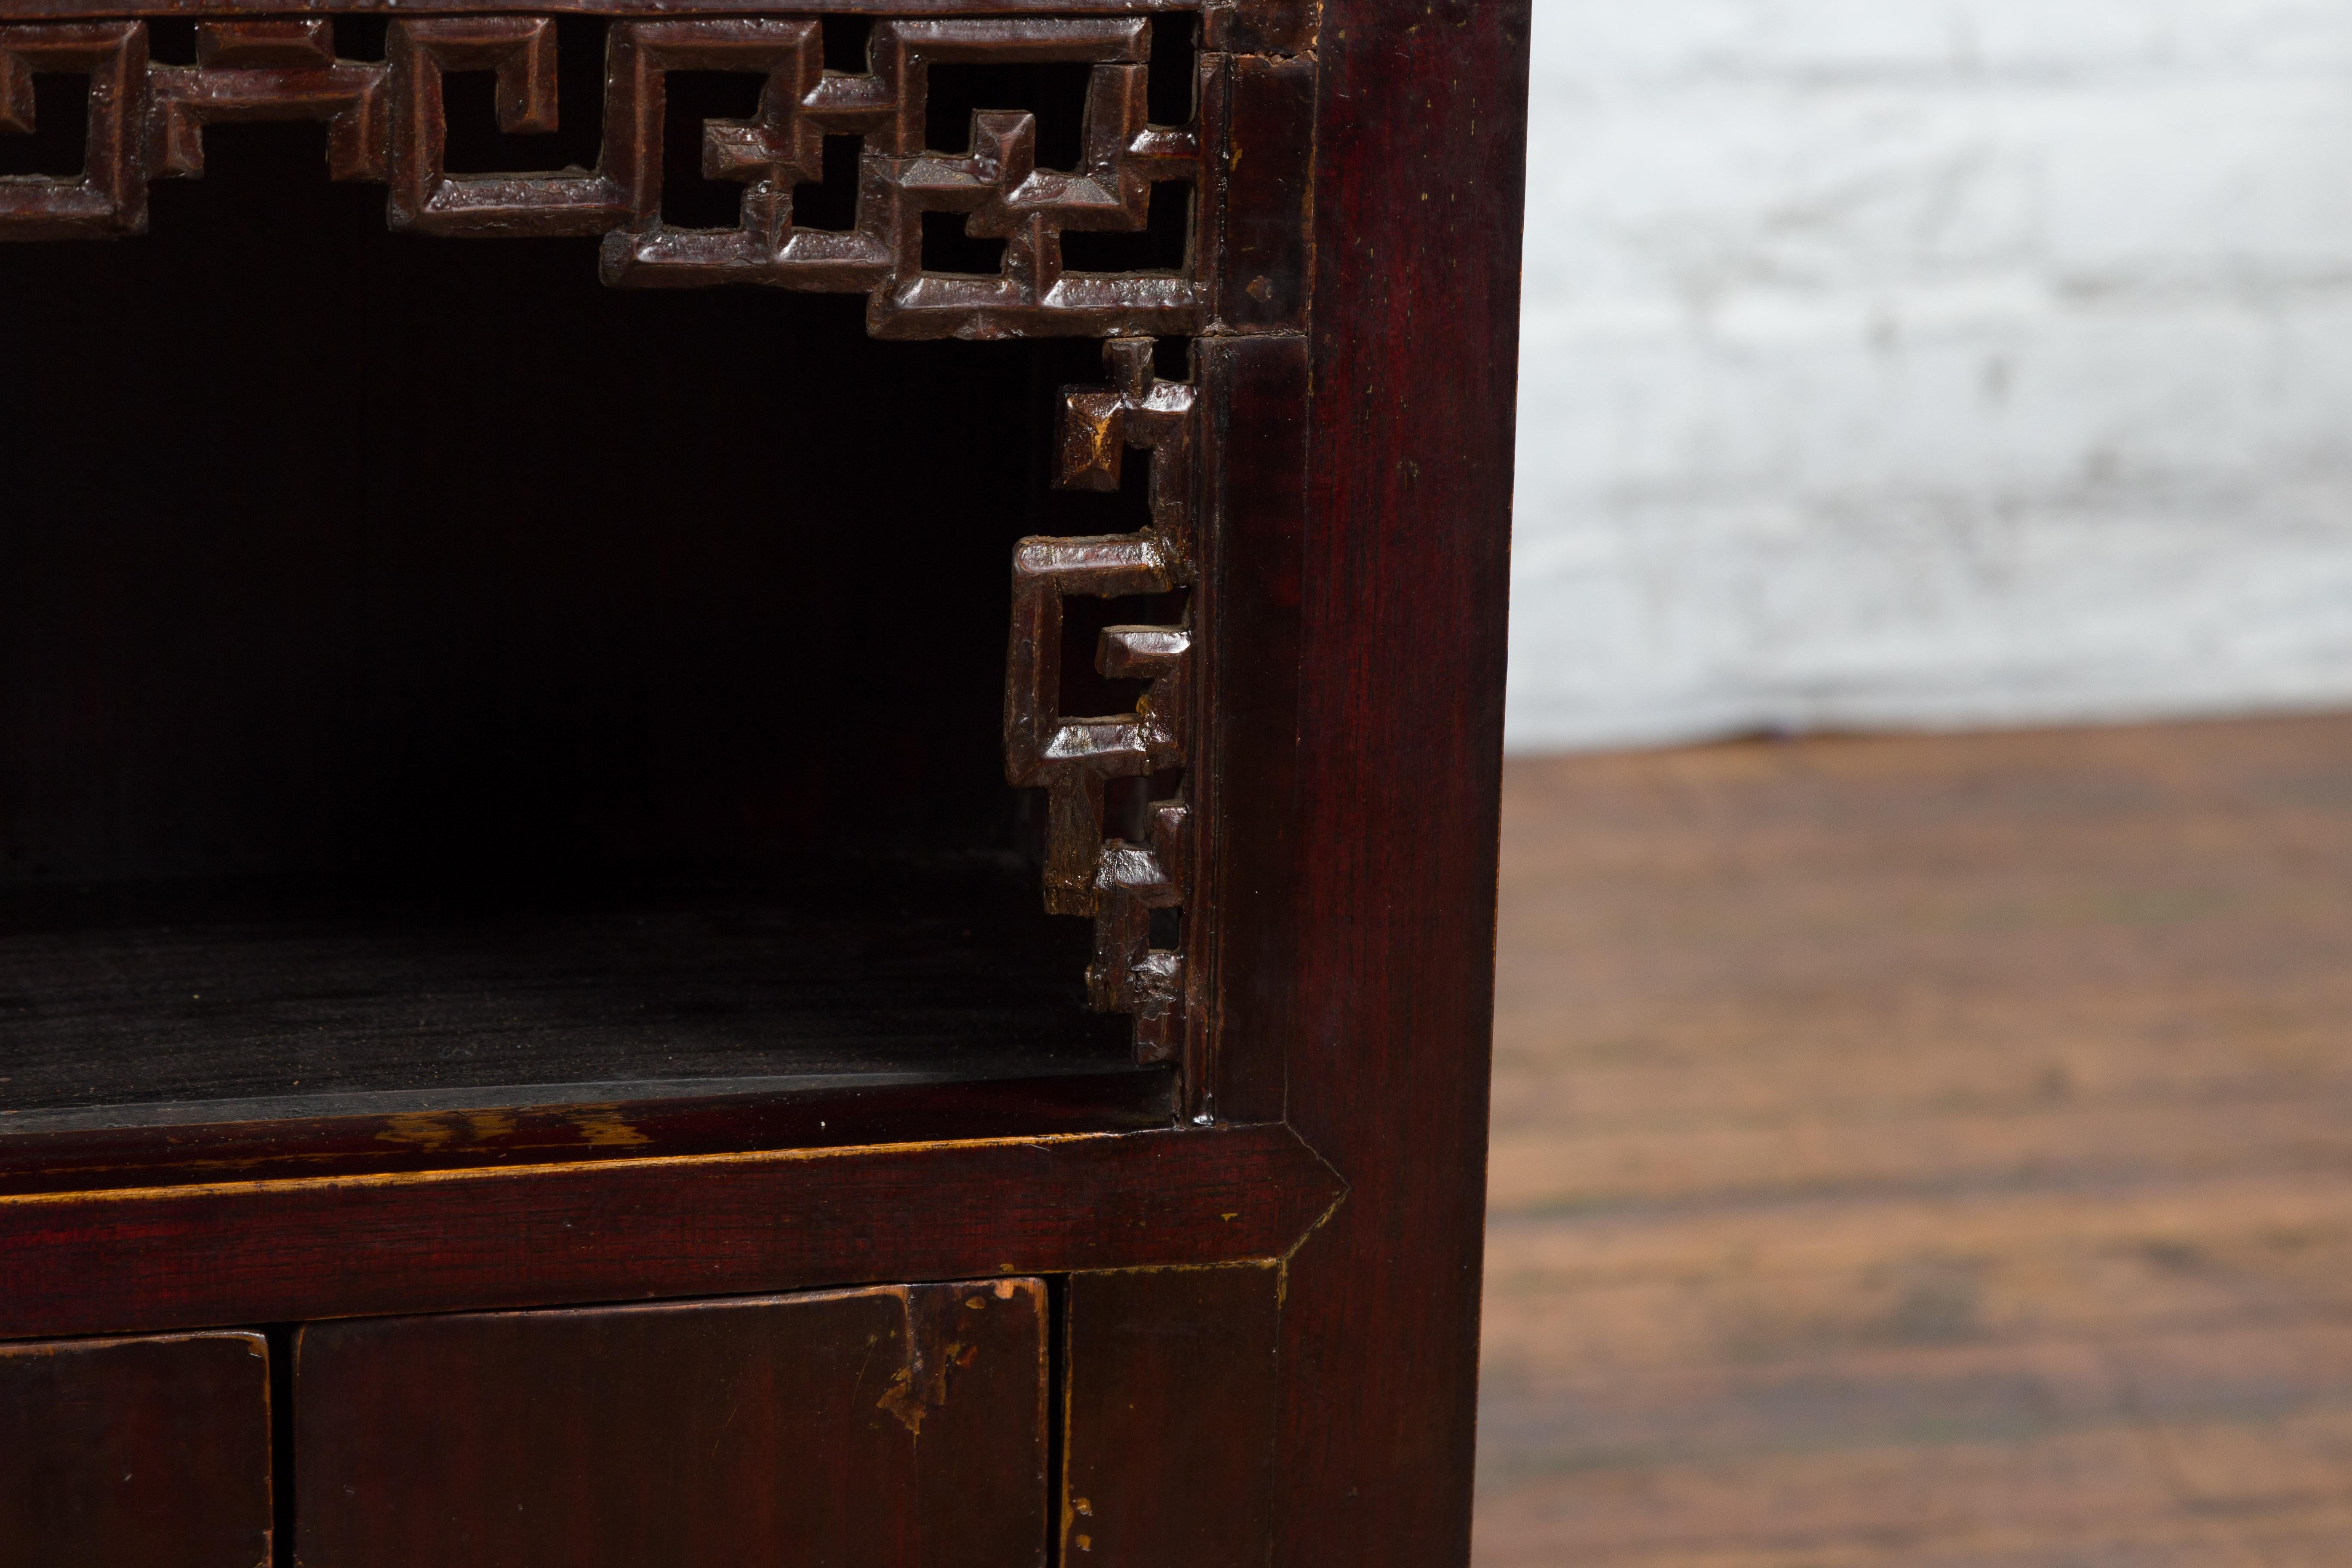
(542, 793)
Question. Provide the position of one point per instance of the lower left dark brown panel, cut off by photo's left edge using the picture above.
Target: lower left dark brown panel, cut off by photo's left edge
(138, 1454)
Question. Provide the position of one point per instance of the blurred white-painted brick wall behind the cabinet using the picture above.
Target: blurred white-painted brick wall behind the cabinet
(1932, 363)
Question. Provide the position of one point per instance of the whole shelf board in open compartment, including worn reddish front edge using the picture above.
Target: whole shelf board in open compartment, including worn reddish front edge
(385, 1026)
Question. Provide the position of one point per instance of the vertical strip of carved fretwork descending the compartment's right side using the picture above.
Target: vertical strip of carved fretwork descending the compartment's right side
(1074, 758)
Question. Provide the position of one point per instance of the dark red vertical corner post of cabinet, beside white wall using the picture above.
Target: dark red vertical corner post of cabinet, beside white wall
(1419, 173)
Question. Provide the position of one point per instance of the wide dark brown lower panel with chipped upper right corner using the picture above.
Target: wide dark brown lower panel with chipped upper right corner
(893, 1428)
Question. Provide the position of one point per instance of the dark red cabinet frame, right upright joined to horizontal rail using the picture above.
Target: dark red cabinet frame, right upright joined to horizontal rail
(1358, 455)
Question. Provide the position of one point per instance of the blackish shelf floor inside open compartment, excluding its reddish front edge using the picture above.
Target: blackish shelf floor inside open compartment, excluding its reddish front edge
(359, 1000)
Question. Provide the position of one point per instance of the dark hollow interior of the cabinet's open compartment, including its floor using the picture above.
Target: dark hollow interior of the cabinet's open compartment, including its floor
(427, 671)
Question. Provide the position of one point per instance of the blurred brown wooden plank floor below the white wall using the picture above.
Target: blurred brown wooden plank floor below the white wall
(1927, 1151)
